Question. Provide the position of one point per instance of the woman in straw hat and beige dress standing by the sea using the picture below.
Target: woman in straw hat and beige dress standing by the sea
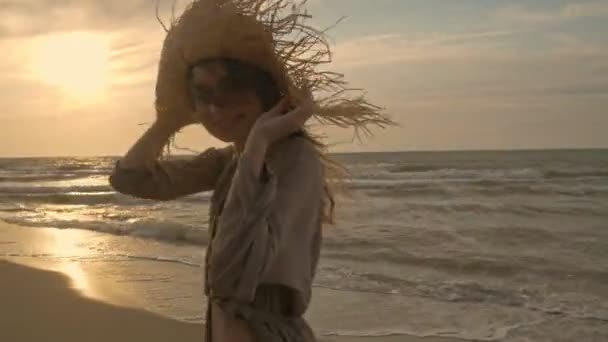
(224, 65)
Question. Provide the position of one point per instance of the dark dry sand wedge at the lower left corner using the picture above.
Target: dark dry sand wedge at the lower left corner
(41, 305)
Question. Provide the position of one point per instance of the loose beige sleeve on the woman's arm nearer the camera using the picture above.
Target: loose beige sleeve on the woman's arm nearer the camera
(258, 220)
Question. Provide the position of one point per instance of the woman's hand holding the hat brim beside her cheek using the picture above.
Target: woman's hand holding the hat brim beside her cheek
(275, 125)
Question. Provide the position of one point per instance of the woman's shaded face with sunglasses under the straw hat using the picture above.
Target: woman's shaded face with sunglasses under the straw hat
(227, 113)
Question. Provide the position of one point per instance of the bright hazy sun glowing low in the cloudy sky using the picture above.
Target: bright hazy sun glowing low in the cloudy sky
(77, 63)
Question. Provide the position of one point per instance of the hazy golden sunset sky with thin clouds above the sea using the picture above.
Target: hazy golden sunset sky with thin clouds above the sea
(78, 75)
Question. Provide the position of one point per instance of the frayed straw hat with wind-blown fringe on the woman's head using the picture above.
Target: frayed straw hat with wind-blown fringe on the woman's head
(270, 34)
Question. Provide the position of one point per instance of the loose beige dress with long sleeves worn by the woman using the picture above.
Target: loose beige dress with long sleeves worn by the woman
(265, 235)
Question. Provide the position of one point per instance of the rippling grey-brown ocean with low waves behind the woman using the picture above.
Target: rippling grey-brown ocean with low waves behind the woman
(479, 245)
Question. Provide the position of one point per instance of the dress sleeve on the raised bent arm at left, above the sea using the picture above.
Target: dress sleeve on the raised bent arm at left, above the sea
(165, 180)
